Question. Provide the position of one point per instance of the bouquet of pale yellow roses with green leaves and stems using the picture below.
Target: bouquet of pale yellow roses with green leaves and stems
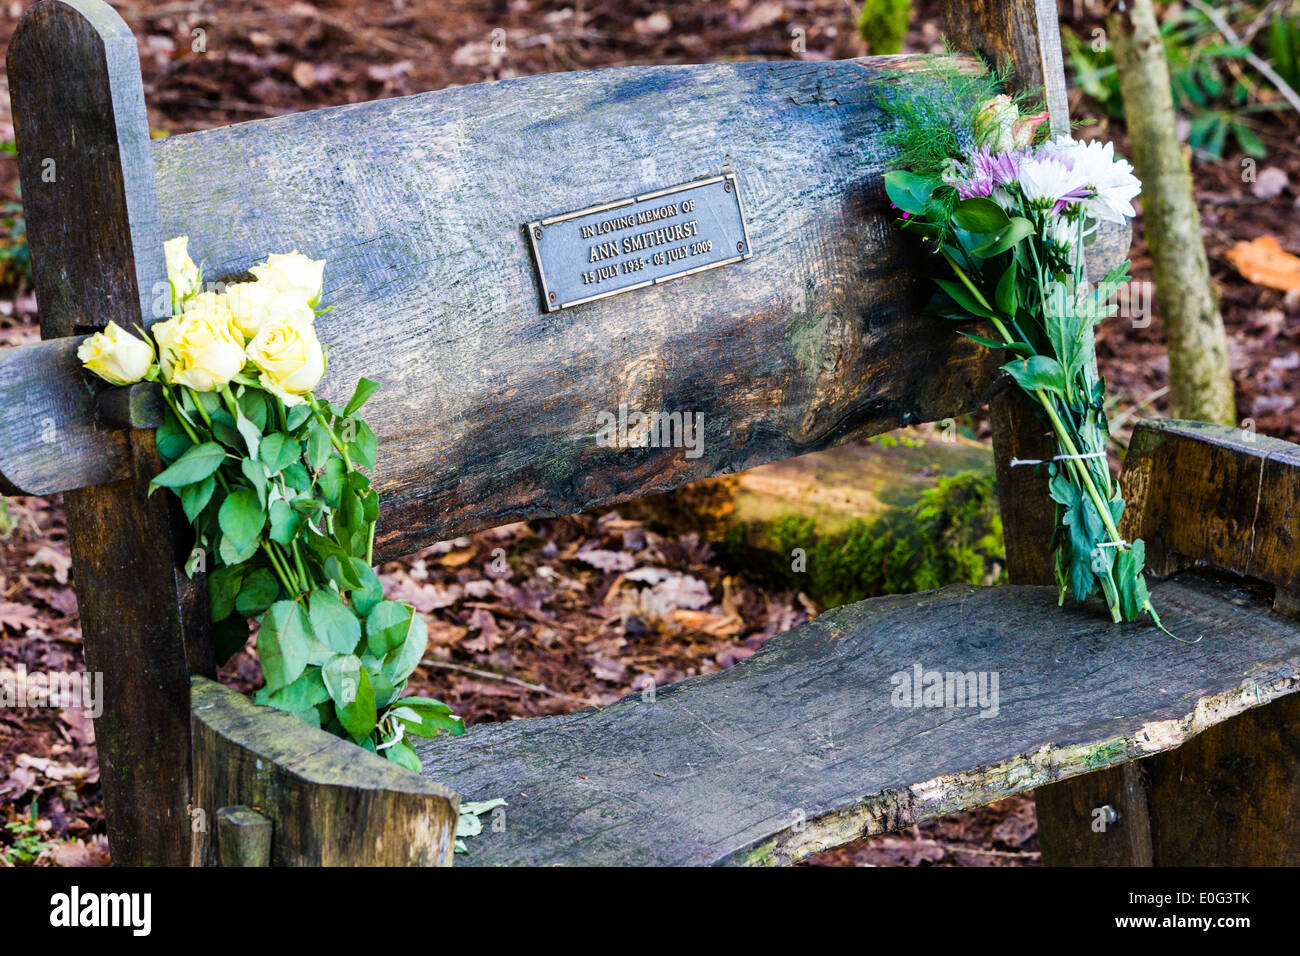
(271, 479)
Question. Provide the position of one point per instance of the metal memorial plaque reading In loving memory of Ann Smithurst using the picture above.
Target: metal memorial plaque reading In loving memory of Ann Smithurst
(636, 243)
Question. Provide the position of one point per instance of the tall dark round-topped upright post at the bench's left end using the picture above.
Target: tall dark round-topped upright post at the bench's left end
(79, 103)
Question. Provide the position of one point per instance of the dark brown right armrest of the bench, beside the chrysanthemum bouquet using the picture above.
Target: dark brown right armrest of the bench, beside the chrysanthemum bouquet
(1216, 495)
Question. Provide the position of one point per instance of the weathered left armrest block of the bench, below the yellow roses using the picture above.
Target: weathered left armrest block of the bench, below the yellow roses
(331, 803)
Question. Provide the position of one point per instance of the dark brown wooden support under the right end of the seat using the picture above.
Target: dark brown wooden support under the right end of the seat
(1228, 798)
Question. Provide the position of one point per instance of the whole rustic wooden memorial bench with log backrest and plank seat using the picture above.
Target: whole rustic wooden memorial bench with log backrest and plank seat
(488, 417)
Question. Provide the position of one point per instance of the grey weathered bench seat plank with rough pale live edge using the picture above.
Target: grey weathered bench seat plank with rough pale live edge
(721, 769)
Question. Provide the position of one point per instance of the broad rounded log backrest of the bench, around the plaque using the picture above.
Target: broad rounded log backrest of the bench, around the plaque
(491, 408)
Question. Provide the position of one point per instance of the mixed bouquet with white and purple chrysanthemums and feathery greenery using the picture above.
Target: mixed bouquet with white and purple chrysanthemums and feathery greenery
(1009, 214)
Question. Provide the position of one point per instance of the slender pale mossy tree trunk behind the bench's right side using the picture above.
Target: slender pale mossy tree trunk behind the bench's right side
(1199, 375)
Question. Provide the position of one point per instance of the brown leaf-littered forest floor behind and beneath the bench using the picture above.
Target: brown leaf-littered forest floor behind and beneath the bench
(567, 625)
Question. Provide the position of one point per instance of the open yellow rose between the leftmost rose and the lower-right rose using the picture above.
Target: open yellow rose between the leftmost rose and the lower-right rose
(201, 348)
